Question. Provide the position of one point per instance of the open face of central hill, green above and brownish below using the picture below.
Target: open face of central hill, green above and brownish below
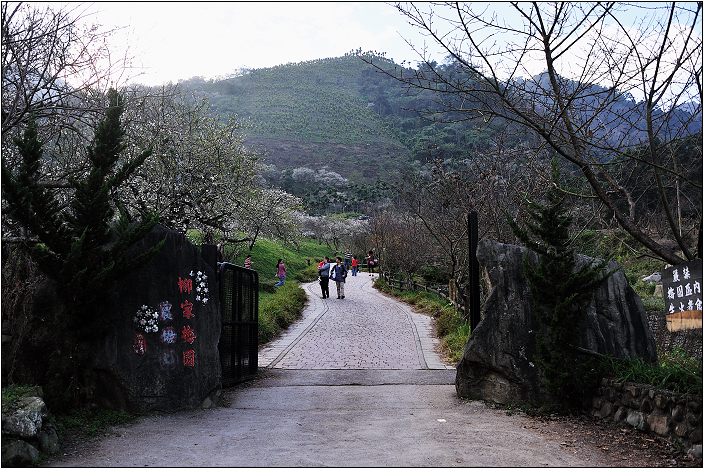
(326, 113)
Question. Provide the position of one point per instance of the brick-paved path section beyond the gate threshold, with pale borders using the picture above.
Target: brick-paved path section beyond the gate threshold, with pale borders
(364, 331)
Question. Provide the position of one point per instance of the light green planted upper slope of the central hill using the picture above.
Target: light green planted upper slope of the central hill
(319, 101)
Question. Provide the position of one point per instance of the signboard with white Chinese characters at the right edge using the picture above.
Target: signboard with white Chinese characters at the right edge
(682, 290)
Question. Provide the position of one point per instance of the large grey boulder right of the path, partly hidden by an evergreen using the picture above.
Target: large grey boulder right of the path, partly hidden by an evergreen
(498, 363)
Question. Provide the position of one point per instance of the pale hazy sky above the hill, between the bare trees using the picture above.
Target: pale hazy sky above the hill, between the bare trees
(179, 40)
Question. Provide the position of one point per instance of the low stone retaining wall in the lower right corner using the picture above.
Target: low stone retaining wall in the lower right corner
(668, 414)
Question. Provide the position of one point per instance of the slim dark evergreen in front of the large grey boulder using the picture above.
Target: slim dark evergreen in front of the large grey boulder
(560, 292)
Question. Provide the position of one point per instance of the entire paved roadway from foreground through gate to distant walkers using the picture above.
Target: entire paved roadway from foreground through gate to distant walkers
(355, 382)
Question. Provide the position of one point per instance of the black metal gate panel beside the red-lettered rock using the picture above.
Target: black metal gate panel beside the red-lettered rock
(239, 339)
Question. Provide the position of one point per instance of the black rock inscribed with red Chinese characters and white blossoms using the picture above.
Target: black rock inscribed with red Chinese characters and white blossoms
(171, 362)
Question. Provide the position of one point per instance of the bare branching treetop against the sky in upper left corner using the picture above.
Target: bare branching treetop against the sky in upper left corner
(54, 65)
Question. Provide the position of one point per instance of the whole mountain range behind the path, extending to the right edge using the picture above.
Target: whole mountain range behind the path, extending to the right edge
(330, 129)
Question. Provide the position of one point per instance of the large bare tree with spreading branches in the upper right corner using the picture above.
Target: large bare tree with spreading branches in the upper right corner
(601, 89)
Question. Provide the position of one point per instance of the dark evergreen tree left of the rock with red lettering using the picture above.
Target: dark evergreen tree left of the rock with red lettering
(82, 248)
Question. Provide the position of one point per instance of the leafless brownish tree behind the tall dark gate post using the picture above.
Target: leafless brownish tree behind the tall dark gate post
(442, 193)
